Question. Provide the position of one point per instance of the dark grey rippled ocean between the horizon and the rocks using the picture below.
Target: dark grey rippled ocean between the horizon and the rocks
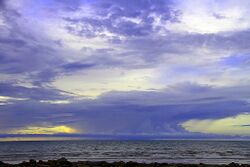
(209, 152)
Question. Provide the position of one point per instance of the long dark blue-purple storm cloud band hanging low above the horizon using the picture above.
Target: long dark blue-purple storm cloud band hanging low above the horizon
(160, 115)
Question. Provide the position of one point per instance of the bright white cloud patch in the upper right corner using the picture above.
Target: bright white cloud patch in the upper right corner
(210, 16)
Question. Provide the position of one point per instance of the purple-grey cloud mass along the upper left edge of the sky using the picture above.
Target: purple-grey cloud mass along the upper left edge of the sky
(24, 52)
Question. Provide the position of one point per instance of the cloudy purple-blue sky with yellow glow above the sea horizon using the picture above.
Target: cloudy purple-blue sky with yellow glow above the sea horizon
(124, 69)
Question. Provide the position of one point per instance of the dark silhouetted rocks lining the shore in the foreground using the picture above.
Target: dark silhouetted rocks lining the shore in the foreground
(65, 163)
